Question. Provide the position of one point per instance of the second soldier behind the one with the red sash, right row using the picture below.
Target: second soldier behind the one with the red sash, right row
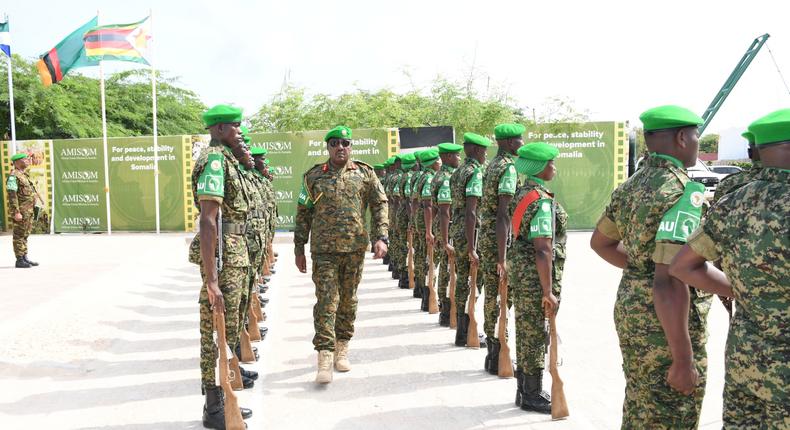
(466, 188)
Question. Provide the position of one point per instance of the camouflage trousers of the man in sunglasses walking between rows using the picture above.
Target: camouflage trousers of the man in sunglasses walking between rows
(336, 278)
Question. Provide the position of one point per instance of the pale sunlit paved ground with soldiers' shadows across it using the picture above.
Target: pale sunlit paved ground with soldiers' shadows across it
(105, 335)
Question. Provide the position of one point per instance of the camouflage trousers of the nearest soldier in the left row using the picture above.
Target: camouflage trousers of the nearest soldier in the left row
(232, 284)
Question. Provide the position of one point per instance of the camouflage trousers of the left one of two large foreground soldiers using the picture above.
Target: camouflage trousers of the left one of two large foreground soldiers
(649, 401)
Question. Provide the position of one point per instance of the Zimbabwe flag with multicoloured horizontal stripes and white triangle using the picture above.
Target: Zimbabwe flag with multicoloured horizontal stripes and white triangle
(119, 42)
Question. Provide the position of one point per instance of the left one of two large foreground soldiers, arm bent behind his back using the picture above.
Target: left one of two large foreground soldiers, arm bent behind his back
(646, 223)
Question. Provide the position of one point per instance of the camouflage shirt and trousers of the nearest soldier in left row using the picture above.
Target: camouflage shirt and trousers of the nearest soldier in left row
(217, 177)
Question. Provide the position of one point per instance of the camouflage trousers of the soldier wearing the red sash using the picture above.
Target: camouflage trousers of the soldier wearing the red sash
(531, 330)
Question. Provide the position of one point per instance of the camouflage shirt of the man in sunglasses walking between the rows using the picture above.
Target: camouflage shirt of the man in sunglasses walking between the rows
(331, 208)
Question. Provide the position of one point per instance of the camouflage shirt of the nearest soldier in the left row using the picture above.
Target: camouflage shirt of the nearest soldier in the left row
(217, 177)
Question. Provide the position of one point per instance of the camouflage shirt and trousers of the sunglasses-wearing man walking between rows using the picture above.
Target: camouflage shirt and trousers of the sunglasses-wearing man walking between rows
(330, 209)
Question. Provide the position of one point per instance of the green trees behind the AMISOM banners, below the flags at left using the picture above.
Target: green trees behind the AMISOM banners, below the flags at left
(72, 108)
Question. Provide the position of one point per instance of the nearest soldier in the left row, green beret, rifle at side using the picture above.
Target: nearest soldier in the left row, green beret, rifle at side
(219, 189)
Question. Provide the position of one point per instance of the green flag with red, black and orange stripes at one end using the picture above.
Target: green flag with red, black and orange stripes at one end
(66, 55)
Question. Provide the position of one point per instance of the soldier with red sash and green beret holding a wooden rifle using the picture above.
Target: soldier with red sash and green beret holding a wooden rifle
(535, 265)
